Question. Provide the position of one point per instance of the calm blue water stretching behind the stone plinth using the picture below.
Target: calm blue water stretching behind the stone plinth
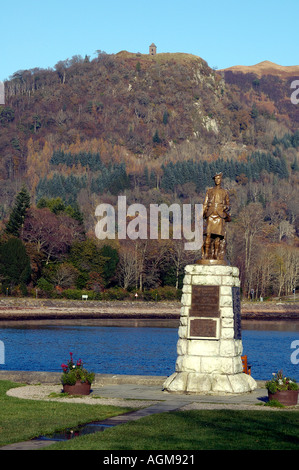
(132, 350)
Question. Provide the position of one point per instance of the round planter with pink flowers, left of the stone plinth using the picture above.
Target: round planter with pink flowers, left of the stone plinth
(76, 380)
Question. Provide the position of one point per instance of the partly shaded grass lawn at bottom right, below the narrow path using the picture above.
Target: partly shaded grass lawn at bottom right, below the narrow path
(198, 430)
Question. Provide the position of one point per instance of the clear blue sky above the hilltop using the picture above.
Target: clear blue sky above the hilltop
(40, 33)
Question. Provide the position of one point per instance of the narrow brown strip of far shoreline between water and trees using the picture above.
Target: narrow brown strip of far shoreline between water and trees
(23, 309)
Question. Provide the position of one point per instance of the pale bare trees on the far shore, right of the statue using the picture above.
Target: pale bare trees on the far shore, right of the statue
(263, 244)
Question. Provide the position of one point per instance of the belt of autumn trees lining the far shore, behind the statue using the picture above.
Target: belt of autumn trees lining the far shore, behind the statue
(51, 237)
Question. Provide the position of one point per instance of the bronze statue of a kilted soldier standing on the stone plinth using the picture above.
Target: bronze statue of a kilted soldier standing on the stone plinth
(216, 212)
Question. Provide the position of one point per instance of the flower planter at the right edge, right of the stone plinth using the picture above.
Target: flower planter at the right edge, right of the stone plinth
(283, 389)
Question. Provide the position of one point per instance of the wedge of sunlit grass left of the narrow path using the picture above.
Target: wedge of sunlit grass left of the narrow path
(22, 420)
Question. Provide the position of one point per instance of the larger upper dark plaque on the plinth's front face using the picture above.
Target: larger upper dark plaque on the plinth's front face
(205, 301)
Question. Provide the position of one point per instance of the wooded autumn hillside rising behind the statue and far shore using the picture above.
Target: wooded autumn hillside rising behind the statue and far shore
(155, 128)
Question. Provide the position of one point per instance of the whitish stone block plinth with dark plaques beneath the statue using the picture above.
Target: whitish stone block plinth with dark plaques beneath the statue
(209, 347)
